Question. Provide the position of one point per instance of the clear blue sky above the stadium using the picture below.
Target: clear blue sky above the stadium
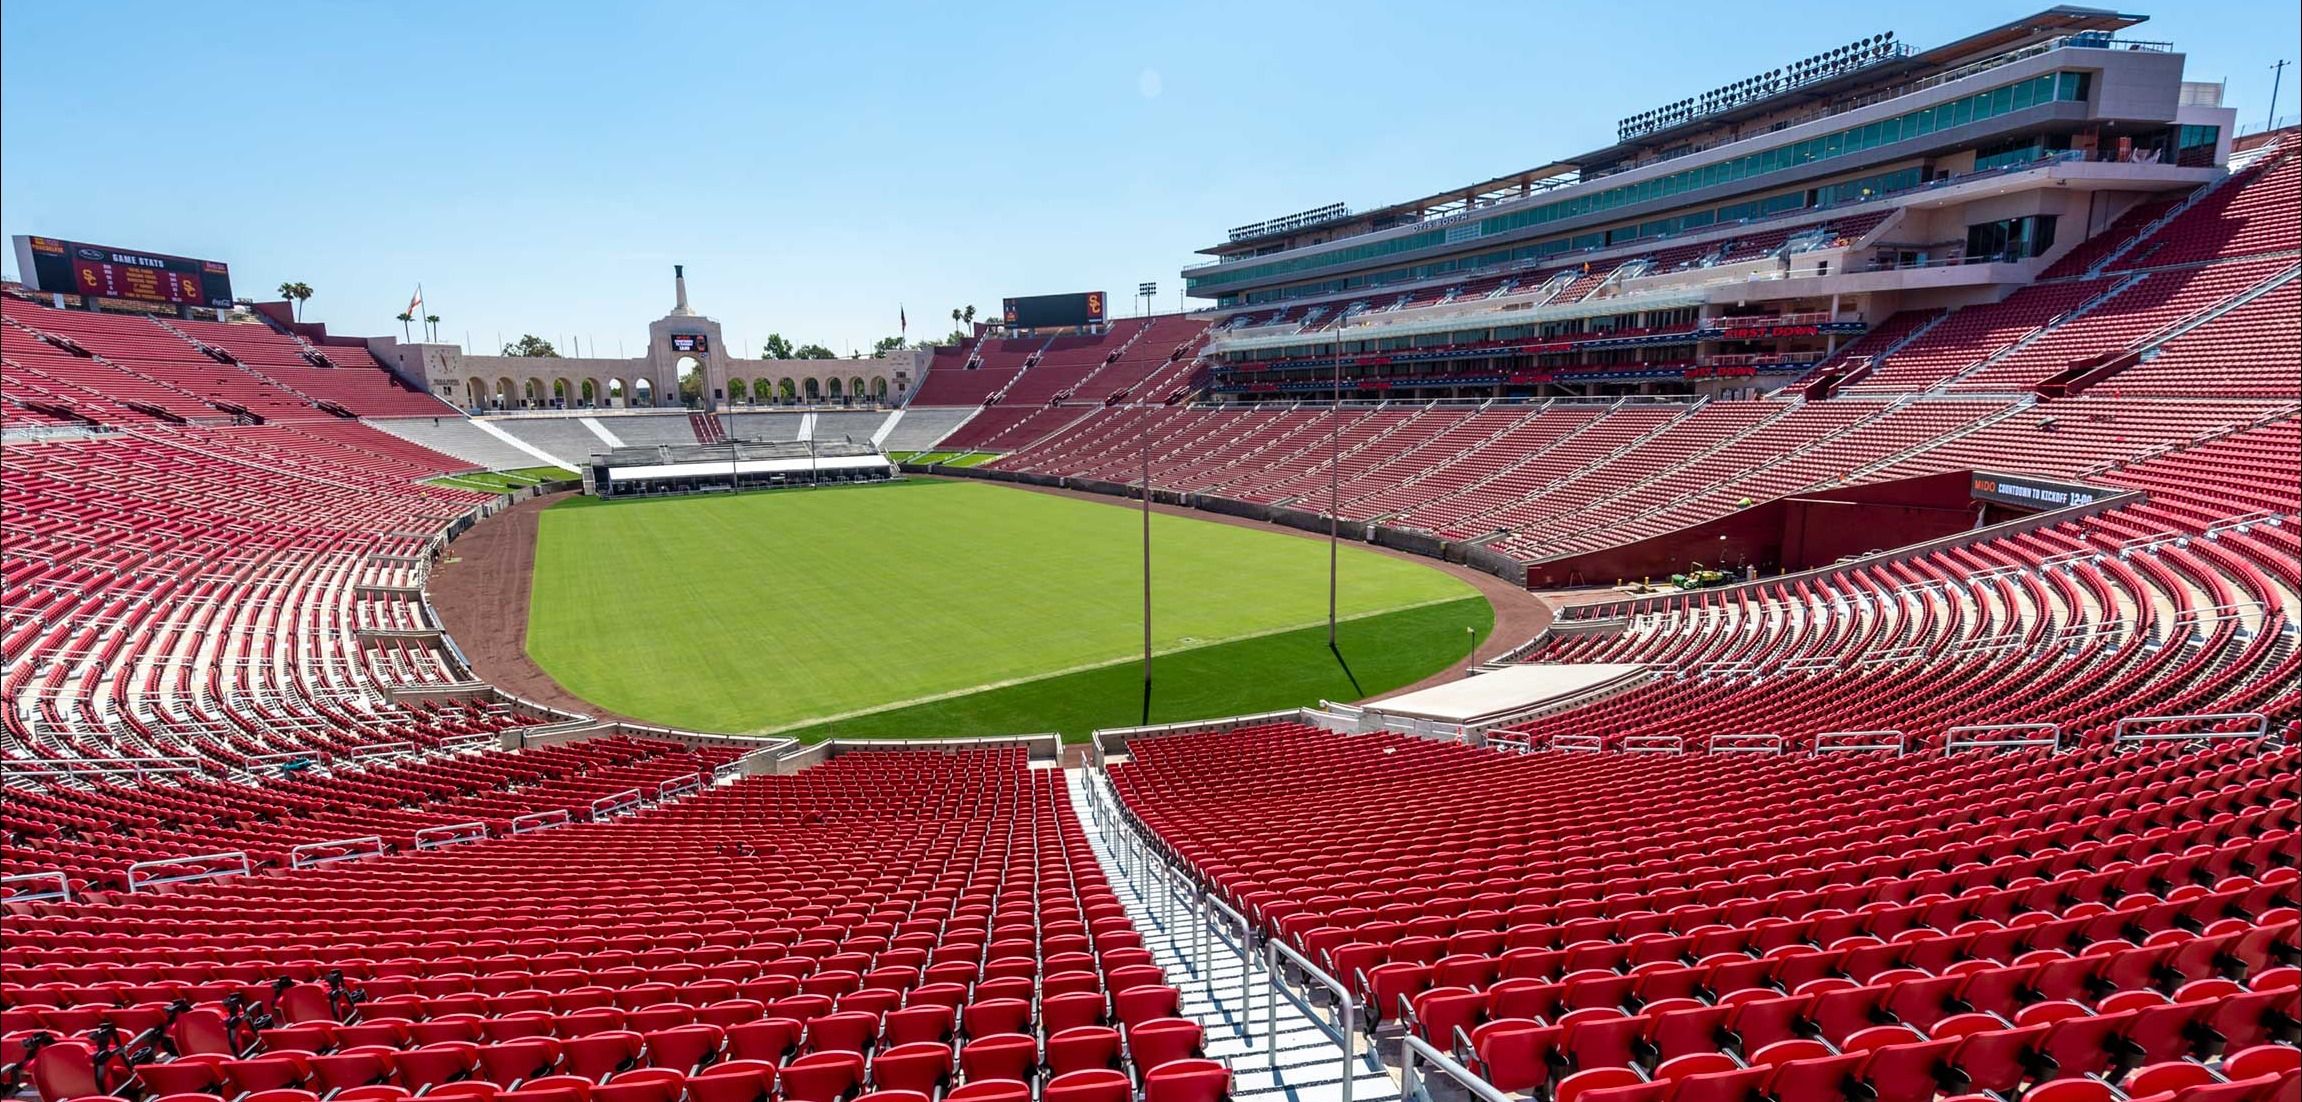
(816, 164)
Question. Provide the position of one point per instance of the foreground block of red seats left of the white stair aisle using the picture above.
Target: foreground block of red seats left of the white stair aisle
(883, 921)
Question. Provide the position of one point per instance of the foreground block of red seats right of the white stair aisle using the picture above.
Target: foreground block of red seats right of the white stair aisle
(1801, 928)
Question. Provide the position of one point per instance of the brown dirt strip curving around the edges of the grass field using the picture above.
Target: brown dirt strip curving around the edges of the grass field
(482, 586)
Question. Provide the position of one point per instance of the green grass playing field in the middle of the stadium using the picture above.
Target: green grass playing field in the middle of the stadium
(961, 609)
